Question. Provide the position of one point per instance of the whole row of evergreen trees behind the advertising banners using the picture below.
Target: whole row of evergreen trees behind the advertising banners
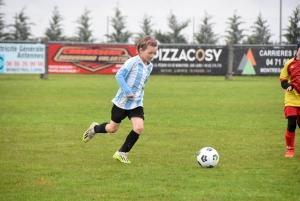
(260, 32)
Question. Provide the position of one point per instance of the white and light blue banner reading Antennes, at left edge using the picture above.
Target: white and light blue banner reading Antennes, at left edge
(22, 58)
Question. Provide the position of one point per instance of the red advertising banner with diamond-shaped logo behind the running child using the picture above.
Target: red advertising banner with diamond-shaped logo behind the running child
(88, 58)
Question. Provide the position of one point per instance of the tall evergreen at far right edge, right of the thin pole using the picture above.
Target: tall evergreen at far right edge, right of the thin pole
(293, 30)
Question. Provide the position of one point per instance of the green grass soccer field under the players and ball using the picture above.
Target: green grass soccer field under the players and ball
(43, 156)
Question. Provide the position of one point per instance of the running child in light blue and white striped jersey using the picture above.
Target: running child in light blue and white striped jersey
(128, 101)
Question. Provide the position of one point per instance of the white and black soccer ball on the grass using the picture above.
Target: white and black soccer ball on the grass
(208, 157)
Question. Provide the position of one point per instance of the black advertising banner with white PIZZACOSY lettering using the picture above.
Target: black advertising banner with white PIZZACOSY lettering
(191, 59)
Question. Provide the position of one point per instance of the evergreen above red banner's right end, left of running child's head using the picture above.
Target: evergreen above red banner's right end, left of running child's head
(118, 23)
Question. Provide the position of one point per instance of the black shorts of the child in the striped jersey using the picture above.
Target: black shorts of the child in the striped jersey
(118, 114)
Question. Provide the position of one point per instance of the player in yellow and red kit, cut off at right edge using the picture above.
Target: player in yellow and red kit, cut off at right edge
(290, 81)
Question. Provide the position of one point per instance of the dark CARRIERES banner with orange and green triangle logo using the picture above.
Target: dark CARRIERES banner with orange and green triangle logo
(261, 59)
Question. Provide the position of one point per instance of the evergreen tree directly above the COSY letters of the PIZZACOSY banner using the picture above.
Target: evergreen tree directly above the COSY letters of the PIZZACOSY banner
(205, 34)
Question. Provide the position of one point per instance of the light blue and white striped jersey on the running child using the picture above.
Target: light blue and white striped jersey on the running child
(132, 77)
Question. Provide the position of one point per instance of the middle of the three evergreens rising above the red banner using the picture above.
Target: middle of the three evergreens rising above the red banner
(84, 34)
